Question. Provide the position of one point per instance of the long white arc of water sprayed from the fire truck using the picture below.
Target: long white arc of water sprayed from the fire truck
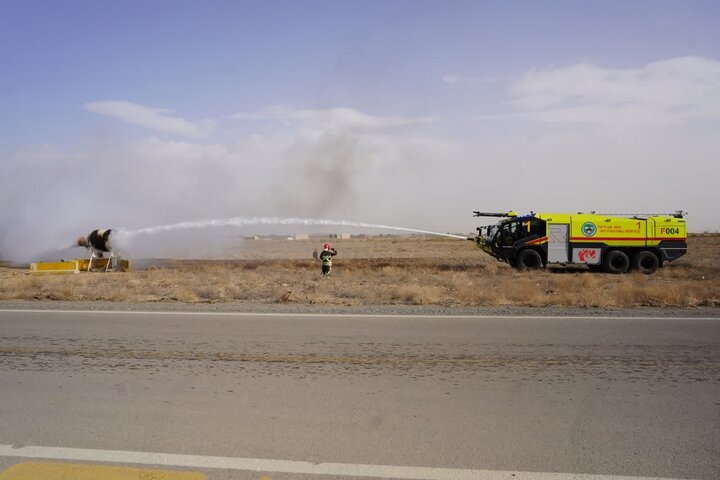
(246, 221)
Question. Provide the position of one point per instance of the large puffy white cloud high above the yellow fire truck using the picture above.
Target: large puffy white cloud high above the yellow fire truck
(665, 92)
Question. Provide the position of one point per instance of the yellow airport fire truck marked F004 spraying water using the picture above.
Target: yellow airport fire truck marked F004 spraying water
(614, 243)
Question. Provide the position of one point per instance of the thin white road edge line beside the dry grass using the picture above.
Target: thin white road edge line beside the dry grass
(352, 315)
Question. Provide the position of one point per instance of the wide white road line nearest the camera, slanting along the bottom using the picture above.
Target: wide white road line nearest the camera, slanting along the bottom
(292, 467)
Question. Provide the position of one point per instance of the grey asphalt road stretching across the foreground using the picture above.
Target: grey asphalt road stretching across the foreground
(488, 397)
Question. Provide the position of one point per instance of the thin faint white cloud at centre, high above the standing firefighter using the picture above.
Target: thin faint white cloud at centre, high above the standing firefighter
(331, 119)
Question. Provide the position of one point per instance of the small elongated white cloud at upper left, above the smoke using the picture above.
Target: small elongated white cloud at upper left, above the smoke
(149, 117)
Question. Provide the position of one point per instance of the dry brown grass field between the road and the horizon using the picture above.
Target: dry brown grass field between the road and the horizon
(381, 271)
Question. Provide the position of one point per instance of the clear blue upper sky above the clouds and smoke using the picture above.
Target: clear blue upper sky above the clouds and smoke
(204, 59)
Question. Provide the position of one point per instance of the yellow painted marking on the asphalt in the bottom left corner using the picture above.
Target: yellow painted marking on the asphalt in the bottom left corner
(76, 471)
